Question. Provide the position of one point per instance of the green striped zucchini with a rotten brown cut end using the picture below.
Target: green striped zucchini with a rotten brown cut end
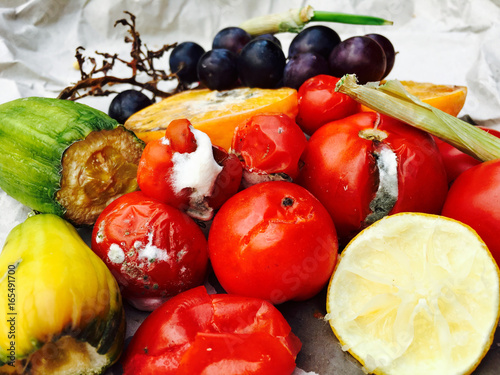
(65, 158)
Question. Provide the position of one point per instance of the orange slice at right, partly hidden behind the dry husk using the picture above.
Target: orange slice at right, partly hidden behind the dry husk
(447, 98)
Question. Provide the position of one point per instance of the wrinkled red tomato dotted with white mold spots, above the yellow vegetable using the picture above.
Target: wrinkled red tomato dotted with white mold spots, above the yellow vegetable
(154, 250)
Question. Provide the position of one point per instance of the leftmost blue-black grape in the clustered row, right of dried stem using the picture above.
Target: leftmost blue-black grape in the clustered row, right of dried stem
(184, 59)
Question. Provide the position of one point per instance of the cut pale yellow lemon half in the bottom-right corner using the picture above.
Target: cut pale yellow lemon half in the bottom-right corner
(415, 294)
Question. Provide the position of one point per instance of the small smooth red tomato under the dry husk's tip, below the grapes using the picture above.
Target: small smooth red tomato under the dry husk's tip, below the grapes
(320, 104)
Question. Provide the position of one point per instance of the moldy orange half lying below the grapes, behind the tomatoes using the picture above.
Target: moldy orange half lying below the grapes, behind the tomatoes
(216, 113)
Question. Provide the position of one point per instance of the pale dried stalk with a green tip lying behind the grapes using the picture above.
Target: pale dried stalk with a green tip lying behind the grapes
(294, 20)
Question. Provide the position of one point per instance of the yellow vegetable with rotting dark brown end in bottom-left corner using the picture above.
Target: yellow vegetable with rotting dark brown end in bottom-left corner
(60, 307)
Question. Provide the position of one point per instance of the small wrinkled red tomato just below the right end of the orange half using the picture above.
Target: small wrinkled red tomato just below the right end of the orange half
(269, 146)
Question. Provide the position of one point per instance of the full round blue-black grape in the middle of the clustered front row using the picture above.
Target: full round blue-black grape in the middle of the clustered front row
(261, 64)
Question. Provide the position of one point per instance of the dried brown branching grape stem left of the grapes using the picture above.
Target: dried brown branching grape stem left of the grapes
(142, 61)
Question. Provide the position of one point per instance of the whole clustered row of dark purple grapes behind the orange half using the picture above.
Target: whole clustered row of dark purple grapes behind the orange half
(238, 59)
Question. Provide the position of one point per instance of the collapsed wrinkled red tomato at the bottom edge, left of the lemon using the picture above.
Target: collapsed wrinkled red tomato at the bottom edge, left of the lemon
(198, 333)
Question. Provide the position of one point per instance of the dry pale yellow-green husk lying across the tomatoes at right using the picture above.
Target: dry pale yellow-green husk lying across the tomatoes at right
(392, 99)
